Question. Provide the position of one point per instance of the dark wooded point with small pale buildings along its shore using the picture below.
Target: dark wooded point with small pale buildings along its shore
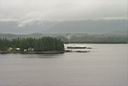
(45, 45)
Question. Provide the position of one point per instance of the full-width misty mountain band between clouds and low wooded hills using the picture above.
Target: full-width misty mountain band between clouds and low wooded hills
(83, 26)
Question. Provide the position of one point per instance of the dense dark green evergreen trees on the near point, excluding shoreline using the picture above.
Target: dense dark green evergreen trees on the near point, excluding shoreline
(41, 44)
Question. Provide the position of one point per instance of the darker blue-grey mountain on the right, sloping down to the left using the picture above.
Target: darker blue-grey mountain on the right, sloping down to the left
(101, 26)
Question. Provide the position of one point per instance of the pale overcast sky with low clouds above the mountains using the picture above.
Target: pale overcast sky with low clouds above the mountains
(29, 10)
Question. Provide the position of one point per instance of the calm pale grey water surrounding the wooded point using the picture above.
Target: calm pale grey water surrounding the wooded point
(105, 65)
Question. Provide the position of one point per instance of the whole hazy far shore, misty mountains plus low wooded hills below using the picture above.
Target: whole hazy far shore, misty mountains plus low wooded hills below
(73, 31)
